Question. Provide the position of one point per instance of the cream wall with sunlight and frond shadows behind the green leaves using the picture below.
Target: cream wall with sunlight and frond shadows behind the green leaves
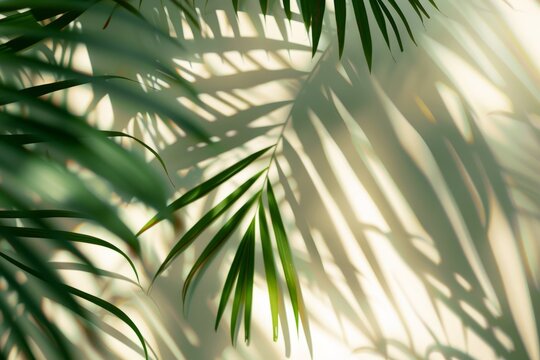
(376, 204)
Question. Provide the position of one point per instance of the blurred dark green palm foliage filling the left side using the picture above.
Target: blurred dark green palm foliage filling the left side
(44, 146)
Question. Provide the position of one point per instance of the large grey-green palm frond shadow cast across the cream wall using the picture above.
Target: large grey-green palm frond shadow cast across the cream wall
(371, 116)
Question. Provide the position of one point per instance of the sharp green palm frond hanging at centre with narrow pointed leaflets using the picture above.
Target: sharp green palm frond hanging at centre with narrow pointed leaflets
(240, 276)
